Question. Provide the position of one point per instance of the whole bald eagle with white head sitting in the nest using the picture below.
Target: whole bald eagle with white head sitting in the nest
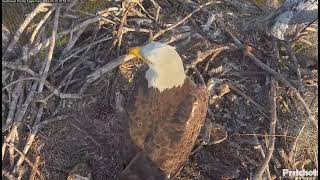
(165, 113)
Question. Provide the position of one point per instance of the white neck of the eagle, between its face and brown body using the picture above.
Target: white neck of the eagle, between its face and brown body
(165, 76)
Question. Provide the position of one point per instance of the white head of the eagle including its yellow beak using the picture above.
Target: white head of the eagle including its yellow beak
(165, 65)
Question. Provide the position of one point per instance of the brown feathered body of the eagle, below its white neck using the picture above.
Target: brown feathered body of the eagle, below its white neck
(164, 125)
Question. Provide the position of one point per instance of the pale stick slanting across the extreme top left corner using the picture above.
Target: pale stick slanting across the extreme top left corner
(40, 8)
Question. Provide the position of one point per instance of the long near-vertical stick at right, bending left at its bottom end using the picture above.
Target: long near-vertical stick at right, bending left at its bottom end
(273, 112)
